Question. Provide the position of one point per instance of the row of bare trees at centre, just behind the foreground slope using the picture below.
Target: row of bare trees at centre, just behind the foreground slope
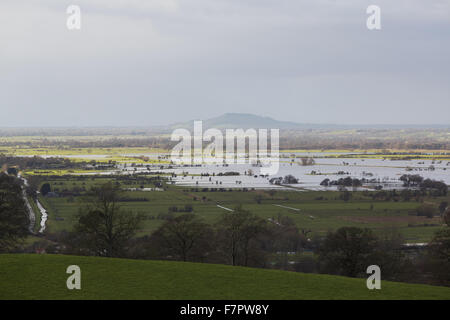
(239, 238)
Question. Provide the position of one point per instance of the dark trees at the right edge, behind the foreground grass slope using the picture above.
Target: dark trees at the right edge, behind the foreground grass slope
(349, 250)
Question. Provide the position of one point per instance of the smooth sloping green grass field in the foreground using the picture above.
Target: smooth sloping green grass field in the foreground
(44, 277)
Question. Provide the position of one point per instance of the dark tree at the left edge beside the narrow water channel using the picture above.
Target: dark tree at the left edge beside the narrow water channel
(14, 217)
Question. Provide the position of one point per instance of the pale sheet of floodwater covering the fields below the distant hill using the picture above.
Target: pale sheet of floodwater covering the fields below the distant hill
(381, 172)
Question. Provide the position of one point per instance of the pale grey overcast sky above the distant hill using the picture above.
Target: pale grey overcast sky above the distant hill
(146, 62)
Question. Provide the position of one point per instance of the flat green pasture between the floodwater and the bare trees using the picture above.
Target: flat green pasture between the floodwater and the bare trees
(320, 216)
